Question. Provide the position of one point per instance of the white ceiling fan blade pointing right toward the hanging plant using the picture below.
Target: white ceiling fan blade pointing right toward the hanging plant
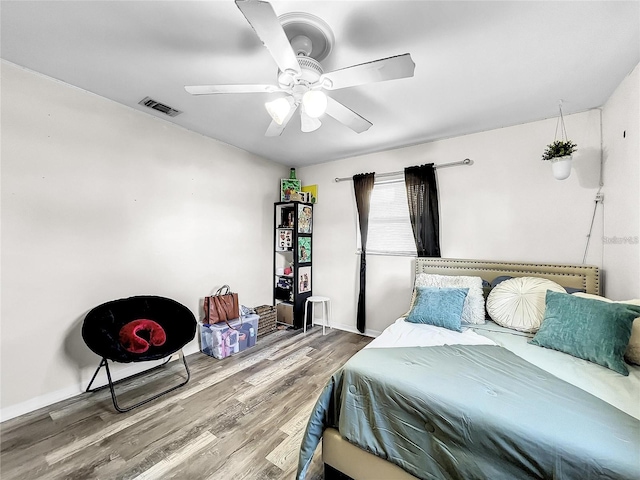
(400, 66)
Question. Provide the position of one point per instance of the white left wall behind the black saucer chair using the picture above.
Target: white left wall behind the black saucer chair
(99, 202)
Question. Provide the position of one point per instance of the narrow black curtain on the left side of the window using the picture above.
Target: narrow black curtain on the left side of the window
(362, 185)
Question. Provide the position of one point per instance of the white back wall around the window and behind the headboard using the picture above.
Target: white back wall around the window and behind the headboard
(507, 206)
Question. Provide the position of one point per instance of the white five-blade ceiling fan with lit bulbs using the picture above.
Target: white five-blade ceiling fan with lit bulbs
(298, 42)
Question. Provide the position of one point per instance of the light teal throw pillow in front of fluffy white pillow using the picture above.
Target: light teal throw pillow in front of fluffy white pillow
(440, 307)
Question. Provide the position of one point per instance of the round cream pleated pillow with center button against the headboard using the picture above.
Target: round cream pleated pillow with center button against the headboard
(518, 303)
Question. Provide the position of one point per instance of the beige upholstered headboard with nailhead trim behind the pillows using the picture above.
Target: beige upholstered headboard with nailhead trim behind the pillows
(583, 277)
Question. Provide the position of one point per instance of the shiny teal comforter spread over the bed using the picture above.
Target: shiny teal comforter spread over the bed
(472, 412)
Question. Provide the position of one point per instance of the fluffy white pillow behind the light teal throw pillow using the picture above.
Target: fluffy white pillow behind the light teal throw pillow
(473, 309)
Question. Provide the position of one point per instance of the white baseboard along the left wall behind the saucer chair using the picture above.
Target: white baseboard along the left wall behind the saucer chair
(33, 404)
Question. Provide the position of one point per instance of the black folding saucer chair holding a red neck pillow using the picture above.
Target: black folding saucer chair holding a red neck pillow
(138, 329)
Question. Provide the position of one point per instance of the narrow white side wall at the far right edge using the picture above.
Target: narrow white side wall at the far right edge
(621, 129)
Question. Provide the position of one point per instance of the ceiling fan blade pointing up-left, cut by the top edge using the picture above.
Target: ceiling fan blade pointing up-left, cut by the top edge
(264, 21)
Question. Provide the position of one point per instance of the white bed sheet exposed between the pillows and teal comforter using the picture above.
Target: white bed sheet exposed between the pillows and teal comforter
(620, 391)
